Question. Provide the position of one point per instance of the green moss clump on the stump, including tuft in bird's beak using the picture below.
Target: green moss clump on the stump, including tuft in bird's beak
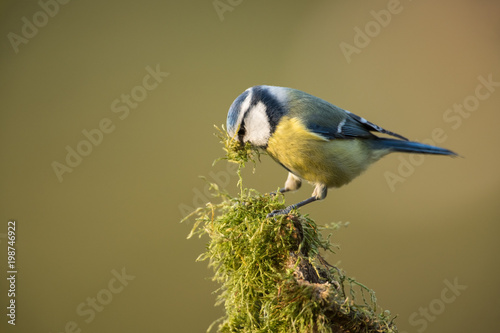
(272, 275)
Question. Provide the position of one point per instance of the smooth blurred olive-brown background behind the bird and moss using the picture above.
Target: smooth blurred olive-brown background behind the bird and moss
(118, 210)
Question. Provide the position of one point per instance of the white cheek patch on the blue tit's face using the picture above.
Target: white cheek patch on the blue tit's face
(258, 129)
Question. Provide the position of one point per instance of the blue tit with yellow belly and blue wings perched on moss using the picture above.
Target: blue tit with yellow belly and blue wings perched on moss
(312, 139)
